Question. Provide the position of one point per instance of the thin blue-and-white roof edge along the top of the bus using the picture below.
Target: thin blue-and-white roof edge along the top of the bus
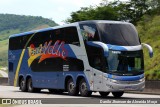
(66, 25)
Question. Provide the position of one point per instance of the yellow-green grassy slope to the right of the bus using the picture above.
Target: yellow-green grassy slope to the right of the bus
(149, 32)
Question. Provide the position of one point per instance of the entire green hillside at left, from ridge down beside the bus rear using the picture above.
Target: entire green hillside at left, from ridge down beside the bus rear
(12, 24)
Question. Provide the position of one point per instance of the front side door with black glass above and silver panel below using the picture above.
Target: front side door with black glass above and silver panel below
(95, 58)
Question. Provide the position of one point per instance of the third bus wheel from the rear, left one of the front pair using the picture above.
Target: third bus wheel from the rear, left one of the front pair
(71, 88)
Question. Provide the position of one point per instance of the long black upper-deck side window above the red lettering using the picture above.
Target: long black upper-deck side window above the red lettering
(67, 34)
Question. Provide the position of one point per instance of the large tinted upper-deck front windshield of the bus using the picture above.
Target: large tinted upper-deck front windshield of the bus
(118, 34)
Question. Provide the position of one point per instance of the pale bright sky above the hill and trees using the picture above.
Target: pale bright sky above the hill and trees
(57, 10)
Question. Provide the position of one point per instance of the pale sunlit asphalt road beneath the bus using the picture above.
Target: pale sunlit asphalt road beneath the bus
(14, 92)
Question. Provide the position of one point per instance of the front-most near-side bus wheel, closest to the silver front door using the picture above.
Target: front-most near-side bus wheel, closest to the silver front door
(84, 89)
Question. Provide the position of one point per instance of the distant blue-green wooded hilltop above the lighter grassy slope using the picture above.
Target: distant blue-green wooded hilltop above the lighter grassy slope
(24, 23)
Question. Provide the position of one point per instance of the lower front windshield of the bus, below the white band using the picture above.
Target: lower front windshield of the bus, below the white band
(125, 62)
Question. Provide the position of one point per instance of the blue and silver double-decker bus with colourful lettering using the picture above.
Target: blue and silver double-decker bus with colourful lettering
(82, 57)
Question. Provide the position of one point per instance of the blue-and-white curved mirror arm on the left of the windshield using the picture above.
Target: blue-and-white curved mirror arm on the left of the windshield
(100, 45)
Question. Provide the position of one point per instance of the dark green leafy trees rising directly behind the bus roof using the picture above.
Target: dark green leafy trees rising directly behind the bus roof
(131, 11)
